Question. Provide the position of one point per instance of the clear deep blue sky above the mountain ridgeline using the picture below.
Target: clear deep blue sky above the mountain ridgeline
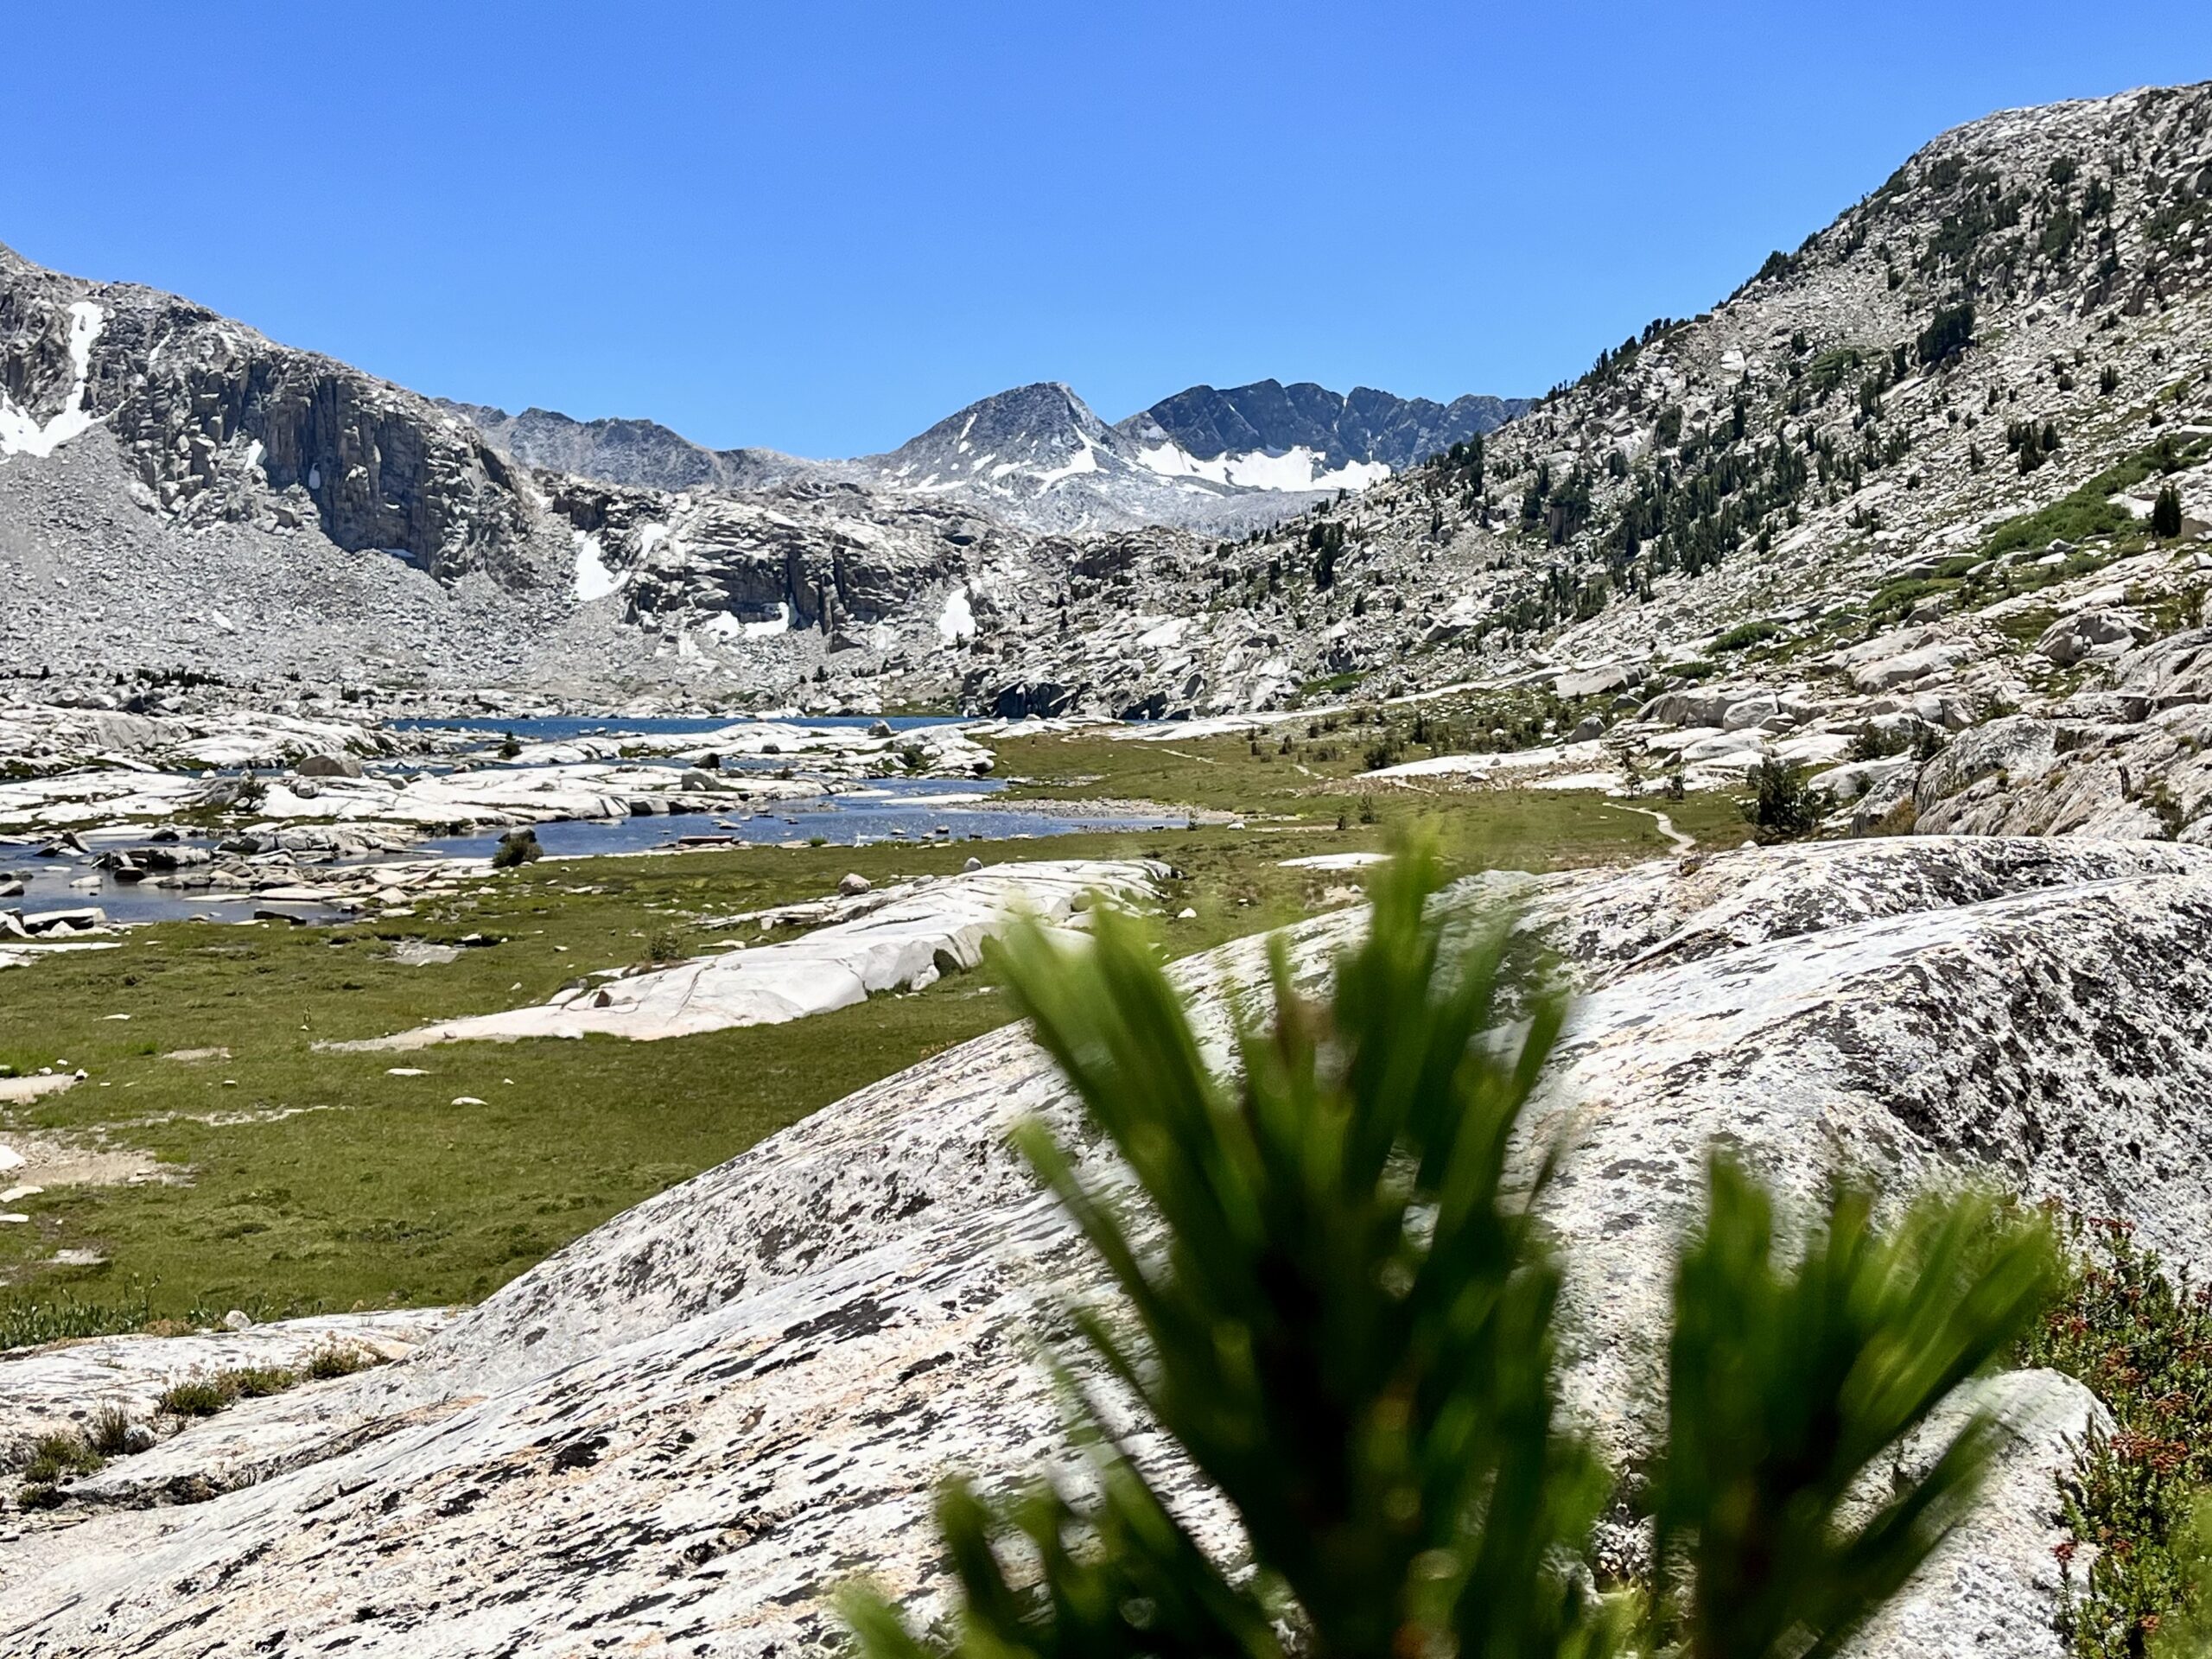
(824, 227)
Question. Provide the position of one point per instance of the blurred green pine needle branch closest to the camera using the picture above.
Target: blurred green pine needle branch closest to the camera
(1348, 1328)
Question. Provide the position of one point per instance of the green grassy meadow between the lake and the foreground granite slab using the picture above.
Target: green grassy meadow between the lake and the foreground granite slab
(315, 1180)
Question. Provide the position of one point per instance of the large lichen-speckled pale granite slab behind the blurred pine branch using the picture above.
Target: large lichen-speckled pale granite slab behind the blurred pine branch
(698, 1421)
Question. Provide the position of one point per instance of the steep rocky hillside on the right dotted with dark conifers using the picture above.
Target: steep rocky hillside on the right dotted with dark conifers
(2001, 348)
